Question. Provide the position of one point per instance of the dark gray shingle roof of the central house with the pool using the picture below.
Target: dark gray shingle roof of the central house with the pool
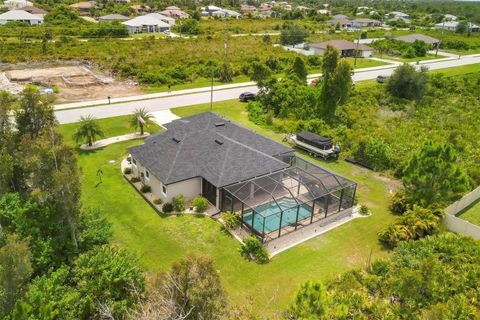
(211, 147)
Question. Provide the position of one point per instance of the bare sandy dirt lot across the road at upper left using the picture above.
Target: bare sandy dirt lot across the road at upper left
(75, 82)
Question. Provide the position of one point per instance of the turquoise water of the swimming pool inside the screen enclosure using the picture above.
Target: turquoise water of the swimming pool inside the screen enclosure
(272, 215)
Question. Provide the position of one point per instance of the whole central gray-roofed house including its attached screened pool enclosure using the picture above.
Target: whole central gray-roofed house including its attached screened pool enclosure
(270, 188)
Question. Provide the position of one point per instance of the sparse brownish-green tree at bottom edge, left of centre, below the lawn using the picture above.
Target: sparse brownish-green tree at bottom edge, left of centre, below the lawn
(192, 290)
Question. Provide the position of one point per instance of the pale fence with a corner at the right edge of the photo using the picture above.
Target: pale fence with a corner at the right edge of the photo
(456, 224)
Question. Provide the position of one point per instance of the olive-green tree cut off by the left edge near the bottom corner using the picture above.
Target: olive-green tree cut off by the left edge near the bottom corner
(15, 271)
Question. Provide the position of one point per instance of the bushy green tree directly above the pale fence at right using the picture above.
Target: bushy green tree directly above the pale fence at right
(433, 176)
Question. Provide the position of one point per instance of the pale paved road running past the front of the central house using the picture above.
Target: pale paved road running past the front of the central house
(167, 102)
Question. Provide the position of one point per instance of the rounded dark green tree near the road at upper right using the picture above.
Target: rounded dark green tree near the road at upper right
(407, 83)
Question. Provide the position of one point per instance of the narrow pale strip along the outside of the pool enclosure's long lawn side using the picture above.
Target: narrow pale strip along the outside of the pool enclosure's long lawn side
(290, 240)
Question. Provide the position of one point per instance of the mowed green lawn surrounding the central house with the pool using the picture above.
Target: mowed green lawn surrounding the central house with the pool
(160, 240)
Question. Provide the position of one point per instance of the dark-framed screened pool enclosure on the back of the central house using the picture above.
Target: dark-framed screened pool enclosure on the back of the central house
(283, 201)
